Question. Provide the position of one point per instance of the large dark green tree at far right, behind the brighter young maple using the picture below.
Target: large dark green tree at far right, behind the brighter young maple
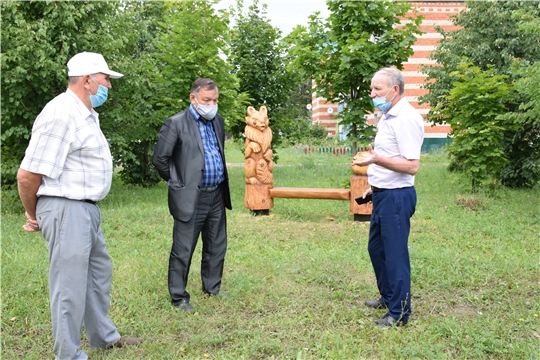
(498, 37)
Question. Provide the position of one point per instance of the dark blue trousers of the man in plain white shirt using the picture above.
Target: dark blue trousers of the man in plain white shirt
(388, 247)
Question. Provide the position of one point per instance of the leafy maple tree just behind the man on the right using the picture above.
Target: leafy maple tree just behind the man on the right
(342, 53)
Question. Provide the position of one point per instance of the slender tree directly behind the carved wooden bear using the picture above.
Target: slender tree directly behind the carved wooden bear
(259, 61)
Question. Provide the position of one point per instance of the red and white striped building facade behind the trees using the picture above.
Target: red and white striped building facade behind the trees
(435, 13)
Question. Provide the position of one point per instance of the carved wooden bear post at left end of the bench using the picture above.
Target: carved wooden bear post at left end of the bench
(258, 164)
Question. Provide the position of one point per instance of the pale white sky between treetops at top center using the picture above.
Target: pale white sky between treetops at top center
(285, 14)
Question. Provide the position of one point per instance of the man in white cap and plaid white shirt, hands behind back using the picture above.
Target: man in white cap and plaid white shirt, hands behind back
(66, 170)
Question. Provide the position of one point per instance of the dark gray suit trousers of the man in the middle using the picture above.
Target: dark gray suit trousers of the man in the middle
(209, 219)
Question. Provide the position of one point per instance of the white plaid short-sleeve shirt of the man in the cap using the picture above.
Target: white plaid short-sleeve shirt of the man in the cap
(69, 149)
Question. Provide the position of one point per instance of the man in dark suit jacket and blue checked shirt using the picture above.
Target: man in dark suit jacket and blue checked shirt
(189, 155)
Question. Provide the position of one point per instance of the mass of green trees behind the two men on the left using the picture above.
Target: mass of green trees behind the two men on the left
(160, 47)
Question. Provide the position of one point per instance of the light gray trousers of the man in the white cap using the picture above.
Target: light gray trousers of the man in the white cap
(80, 275)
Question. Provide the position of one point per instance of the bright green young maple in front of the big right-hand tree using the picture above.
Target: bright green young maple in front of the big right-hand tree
(471, 109)
